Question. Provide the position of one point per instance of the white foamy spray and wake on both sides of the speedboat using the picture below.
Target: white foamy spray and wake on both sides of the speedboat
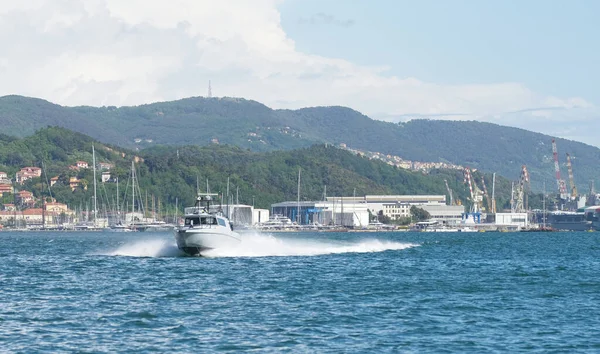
(261, 245)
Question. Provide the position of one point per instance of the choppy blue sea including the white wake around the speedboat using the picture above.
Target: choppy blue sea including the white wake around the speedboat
(98, 292)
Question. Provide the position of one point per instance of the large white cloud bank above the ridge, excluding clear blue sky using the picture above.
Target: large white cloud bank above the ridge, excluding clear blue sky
(127, 52)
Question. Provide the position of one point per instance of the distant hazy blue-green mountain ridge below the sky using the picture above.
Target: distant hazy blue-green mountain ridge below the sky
(251, 125)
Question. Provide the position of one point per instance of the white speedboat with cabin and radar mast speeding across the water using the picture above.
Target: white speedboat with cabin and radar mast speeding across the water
(205, 228)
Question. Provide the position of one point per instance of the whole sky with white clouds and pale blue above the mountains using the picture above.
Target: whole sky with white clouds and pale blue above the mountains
(528, 64)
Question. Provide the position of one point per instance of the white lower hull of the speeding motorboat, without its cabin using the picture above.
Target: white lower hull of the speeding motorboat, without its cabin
(194, 241)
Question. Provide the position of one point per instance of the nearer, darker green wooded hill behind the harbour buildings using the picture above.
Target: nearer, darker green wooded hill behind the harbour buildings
(174, 173)
